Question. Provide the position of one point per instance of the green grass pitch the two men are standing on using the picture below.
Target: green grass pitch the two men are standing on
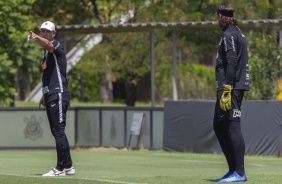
(104, 166)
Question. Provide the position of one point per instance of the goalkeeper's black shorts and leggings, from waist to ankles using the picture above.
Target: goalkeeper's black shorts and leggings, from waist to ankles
(227, 128)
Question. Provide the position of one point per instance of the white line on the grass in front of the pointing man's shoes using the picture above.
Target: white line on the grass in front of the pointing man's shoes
(61, 177)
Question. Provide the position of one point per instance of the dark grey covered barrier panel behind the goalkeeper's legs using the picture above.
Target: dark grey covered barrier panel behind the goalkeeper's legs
(188, 126)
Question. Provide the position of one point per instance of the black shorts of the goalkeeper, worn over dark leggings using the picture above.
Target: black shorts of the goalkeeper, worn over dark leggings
(234, 114)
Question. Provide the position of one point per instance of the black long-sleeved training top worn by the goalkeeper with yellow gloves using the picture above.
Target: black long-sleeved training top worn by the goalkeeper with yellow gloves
(232, 63)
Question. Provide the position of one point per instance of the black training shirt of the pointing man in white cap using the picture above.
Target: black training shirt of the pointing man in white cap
(54, 67)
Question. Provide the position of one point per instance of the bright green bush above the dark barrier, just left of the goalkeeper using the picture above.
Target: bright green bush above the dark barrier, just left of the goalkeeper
(194, 81)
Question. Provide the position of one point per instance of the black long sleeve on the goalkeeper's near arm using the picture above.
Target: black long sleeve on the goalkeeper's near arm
(230, 45)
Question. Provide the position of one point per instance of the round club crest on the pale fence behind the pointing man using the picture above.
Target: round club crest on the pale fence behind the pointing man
(33, 129)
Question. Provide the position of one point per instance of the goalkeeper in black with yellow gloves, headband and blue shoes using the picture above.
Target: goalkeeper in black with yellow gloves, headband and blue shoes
(232, 79)
